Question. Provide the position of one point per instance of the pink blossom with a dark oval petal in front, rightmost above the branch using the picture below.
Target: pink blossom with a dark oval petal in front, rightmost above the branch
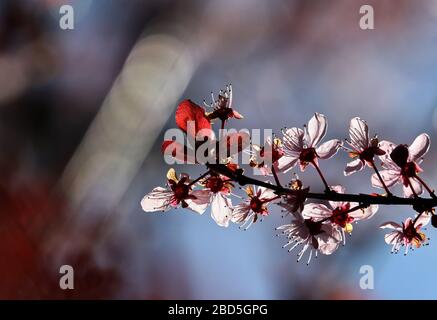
(401, 164)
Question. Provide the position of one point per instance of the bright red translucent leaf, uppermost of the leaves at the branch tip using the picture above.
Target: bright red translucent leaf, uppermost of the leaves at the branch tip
(189, 111)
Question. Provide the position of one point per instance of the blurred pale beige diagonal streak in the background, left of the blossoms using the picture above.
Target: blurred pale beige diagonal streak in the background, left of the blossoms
(153, 78)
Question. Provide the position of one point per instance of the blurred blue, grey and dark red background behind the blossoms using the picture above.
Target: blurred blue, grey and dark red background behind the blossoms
(83, 113)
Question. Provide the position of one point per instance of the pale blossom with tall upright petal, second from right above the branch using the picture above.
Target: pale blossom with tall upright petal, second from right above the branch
(363, 149)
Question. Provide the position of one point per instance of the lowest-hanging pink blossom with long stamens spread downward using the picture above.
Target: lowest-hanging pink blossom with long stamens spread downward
(310, 235)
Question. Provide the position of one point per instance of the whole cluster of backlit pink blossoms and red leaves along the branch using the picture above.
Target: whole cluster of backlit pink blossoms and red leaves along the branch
(314, 227)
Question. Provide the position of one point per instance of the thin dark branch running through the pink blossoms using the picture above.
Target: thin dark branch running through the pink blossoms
(419, 204)
